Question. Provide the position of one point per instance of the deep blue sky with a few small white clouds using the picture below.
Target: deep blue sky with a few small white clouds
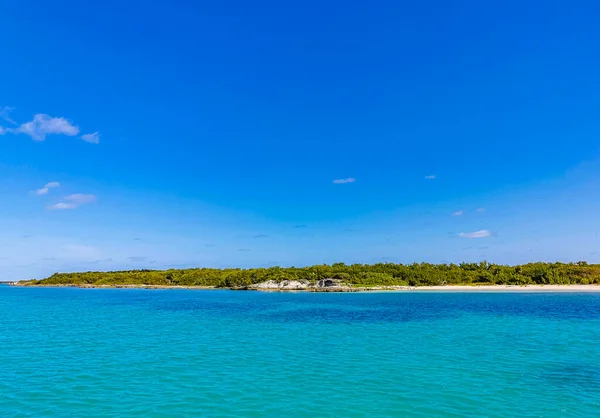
(238, 134)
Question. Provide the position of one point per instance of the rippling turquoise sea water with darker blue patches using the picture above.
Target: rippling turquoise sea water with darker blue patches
(160, 353)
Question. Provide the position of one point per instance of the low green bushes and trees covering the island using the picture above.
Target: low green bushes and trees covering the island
(359, 275)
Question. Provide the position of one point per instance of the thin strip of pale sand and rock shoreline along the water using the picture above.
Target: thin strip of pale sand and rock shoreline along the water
(550, 288)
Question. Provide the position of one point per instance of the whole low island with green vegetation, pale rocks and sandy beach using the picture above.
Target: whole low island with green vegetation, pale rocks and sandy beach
(340, 277)
